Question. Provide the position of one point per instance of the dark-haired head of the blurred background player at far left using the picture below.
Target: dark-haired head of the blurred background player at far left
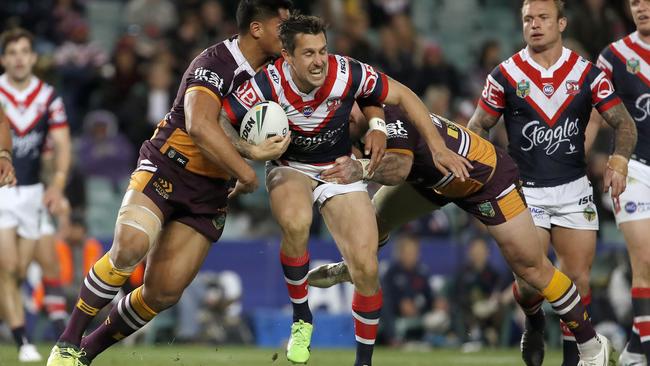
(18, 56)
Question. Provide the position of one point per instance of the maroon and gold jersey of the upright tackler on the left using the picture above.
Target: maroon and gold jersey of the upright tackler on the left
(218, 70)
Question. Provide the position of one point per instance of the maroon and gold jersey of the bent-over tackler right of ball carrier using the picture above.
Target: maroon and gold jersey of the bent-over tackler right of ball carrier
(492, 192)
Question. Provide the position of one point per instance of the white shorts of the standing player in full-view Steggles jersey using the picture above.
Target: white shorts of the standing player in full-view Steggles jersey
(569, 205)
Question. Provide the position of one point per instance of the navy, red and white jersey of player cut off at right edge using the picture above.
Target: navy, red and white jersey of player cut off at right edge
(627, 63)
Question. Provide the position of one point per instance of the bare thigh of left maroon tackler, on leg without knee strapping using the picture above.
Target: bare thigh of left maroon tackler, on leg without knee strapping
(173, 263)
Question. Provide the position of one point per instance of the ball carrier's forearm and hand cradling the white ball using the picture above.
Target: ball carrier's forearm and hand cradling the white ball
(270, 149)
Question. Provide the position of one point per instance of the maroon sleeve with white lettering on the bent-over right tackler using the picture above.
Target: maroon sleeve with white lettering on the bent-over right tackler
(402, 136)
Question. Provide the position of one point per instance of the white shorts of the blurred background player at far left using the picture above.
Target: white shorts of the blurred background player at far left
(21, 207)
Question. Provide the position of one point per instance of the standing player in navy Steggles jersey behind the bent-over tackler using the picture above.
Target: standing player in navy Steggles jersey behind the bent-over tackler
(546, 93)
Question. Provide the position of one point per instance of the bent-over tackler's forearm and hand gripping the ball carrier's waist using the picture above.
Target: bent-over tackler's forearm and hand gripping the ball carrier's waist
(392, 170)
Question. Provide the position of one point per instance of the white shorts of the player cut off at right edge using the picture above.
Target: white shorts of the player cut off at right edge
(634, 203)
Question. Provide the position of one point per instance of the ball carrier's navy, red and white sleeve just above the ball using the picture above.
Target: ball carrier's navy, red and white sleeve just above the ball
(251, 92)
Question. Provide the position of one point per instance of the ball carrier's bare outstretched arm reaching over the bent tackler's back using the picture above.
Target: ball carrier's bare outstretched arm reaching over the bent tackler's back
(444, 159)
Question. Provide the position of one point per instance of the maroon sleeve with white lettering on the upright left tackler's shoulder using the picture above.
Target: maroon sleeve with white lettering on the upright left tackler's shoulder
(208, 73)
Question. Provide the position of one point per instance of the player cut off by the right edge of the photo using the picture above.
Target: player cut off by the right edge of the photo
(627, 63)
